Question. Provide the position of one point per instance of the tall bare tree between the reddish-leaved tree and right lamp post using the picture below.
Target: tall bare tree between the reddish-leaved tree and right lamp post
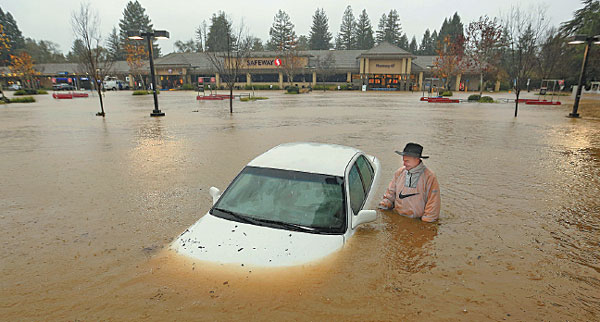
(522, 34)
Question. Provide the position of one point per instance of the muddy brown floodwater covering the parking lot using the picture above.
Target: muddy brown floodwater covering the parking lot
(88, 207)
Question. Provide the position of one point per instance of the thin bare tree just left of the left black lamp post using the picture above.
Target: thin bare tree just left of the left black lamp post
(93, 58)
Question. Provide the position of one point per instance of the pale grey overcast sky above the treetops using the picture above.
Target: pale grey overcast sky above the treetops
(50, 20)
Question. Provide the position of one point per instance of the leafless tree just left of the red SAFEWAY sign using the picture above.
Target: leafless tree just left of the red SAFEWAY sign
(232, 62)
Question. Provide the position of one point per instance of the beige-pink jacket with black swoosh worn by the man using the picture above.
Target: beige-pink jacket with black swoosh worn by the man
(423, 201)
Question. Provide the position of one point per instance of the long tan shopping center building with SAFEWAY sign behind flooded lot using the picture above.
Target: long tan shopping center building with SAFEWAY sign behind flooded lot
(384, 67)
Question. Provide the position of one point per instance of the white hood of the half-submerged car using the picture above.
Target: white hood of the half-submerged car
(224, 241)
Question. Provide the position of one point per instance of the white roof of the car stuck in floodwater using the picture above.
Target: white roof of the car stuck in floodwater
(320, 158)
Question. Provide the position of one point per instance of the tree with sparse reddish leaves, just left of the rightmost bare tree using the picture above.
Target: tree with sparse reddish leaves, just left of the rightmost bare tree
(482, 46)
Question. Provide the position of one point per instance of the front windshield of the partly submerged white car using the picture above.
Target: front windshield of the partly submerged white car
(285, 199)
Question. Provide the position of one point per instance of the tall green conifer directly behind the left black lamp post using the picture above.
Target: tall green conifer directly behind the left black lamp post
(136, 19)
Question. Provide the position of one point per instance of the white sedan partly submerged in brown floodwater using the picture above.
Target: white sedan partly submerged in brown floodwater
(293, 204)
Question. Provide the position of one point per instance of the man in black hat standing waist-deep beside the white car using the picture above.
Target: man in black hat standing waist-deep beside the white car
(414, 191)
